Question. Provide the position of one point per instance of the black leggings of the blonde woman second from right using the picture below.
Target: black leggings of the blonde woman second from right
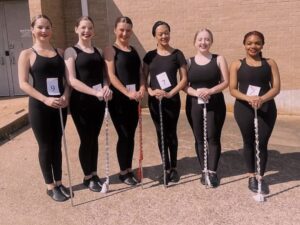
(216, 112)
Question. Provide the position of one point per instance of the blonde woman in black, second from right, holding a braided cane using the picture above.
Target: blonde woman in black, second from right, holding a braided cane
(207, 78)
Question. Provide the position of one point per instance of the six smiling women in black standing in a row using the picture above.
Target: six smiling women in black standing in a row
(87, 79)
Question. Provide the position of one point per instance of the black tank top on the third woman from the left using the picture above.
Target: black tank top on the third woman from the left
(127, 67)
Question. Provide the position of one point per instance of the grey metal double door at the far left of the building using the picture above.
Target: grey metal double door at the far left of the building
(16, 37)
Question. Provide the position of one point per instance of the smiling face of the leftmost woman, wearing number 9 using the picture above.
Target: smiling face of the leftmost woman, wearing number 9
(42, 29)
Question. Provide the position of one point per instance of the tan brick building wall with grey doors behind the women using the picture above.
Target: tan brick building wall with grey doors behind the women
(229, 21)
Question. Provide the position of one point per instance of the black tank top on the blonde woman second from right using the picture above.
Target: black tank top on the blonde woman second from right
(208, 76)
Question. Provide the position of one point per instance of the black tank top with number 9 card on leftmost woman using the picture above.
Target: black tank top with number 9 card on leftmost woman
(45, 68)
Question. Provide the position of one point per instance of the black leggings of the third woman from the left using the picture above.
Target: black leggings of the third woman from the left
(124, 114)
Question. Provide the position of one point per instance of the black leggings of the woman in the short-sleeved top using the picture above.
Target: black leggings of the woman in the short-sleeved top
(170, 114)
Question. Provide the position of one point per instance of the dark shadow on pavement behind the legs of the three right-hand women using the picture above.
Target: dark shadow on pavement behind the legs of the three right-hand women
(281, 167)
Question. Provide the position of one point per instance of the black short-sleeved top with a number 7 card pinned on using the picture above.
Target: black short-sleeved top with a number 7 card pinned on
(168, 64)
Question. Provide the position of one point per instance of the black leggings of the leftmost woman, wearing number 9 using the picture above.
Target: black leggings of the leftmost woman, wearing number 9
(46, 126)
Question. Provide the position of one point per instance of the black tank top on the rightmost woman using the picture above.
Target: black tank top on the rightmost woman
(257, 76)
